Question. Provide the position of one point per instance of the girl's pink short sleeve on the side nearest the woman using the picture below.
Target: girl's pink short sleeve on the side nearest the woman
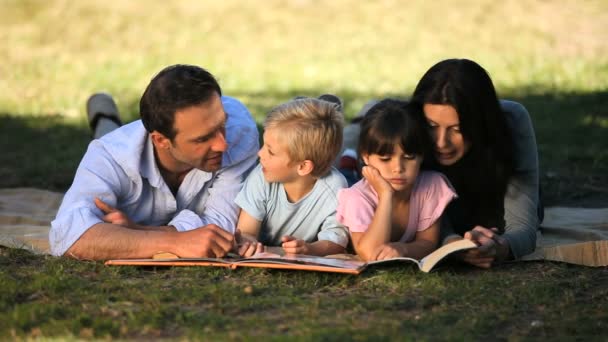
(434, 195)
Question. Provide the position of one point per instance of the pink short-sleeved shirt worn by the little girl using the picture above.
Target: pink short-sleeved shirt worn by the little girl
(432, 192)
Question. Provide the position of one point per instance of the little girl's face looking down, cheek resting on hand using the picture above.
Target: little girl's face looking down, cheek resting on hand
(400, 169)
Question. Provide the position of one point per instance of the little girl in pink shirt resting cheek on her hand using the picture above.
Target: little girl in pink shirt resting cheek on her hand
(395, 209)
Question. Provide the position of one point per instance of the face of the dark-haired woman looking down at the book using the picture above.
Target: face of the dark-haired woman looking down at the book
(444, 125)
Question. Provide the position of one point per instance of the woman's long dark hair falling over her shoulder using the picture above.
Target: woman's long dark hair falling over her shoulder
(481, 176)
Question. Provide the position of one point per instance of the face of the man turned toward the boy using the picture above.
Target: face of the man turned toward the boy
(201, 137)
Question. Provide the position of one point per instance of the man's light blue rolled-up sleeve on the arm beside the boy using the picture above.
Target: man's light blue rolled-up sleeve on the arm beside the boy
(221, 208)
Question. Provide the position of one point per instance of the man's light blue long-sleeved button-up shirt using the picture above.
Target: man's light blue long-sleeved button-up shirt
(121, 170)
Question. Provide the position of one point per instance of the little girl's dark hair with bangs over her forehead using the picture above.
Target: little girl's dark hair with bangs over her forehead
(390, 122)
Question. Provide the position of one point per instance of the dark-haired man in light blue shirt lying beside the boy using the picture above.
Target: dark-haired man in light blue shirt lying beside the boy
(165, 183)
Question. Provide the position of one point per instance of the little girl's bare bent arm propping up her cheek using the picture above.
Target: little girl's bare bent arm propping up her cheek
(379, 231)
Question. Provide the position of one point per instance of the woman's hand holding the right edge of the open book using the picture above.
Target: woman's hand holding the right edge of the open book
(492, 247)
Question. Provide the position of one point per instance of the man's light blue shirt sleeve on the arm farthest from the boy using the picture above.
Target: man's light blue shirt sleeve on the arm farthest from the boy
(98, 175)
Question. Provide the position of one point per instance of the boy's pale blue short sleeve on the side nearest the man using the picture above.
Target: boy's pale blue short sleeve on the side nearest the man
(254, 195)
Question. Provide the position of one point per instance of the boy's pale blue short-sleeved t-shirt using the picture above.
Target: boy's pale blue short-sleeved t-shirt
(312, 218)
